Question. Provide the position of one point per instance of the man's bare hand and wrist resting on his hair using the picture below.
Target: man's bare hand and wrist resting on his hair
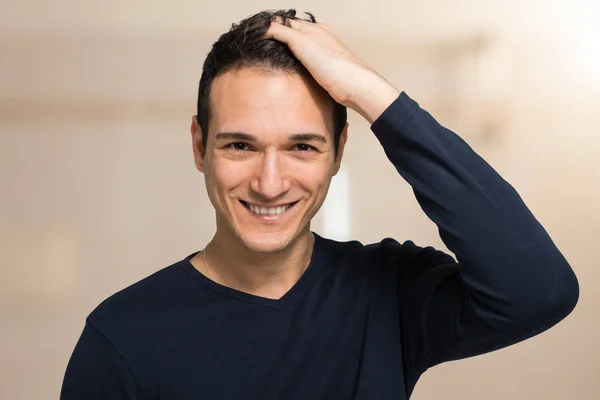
(348, 79)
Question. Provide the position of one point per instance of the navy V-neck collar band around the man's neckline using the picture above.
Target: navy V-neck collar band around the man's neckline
(306, 279)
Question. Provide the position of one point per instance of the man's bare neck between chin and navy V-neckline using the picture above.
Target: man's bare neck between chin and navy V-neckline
(269, 275)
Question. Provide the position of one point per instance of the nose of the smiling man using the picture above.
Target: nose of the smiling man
(270, 180)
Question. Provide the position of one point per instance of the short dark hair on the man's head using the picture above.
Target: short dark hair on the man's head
(242, 47)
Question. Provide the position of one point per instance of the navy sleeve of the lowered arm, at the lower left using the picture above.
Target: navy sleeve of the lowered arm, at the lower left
(97, 371)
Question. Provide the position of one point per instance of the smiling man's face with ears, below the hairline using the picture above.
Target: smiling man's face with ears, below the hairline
(269, 151)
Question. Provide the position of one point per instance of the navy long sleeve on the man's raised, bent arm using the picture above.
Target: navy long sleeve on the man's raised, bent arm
(510, 281)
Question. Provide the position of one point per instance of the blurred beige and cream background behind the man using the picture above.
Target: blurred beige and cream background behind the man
(99, 188)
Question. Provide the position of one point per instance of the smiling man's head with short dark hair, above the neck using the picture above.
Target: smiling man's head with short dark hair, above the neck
(266, 134)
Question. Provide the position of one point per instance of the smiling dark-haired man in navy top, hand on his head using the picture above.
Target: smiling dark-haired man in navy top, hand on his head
(271, 310)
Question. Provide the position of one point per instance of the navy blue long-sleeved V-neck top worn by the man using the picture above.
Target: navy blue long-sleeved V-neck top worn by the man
(363, 321)
